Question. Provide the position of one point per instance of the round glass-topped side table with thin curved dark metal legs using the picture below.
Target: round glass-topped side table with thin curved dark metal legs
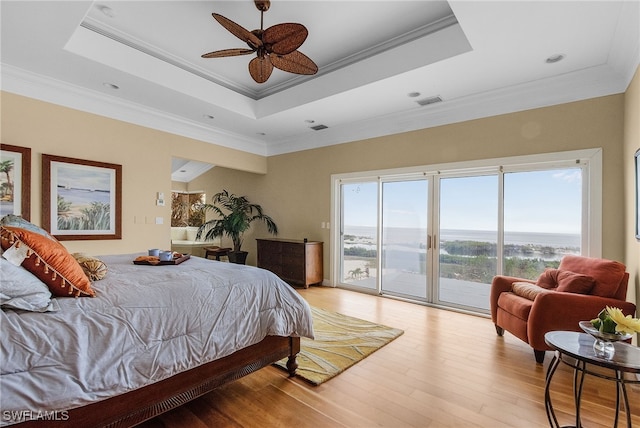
(576, 350)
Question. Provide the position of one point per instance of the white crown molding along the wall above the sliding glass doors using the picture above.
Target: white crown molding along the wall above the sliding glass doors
(584, 84)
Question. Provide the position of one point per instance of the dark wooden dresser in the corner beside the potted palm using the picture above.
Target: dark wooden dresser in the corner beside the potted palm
(295, 261)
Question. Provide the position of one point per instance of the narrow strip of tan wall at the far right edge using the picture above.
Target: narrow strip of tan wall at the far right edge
(631, 144)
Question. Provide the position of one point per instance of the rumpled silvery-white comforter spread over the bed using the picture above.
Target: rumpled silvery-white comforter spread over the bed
(145, 324)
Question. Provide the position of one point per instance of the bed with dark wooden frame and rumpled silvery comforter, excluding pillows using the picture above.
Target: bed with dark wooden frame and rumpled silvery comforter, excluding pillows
(152, 338)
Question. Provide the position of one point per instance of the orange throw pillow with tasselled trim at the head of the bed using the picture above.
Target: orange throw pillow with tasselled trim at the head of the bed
(49, 261)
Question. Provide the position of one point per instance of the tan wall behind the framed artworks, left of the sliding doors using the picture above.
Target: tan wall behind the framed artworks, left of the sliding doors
(145, 156)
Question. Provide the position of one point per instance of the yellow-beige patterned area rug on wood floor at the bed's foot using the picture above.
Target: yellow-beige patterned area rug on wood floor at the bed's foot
(341, 341)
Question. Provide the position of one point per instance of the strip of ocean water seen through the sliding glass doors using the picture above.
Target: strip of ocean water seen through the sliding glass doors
(410, 236)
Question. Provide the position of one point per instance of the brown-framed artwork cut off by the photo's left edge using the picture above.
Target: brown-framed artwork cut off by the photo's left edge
(15, 181)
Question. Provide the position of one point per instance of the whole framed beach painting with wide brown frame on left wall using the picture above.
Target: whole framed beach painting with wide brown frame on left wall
(81, 199)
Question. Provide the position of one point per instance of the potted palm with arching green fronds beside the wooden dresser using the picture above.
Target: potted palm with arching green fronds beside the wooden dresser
(235, 215)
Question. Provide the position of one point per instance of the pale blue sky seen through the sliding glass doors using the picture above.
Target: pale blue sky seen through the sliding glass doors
(536, 201)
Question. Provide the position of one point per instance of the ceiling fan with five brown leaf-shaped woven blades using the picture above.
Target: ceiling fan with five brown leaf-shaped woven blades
(274, 47)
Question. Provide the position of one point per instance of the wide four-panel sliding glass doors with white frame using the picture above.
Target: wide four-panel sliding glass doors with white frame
(438, 234)
